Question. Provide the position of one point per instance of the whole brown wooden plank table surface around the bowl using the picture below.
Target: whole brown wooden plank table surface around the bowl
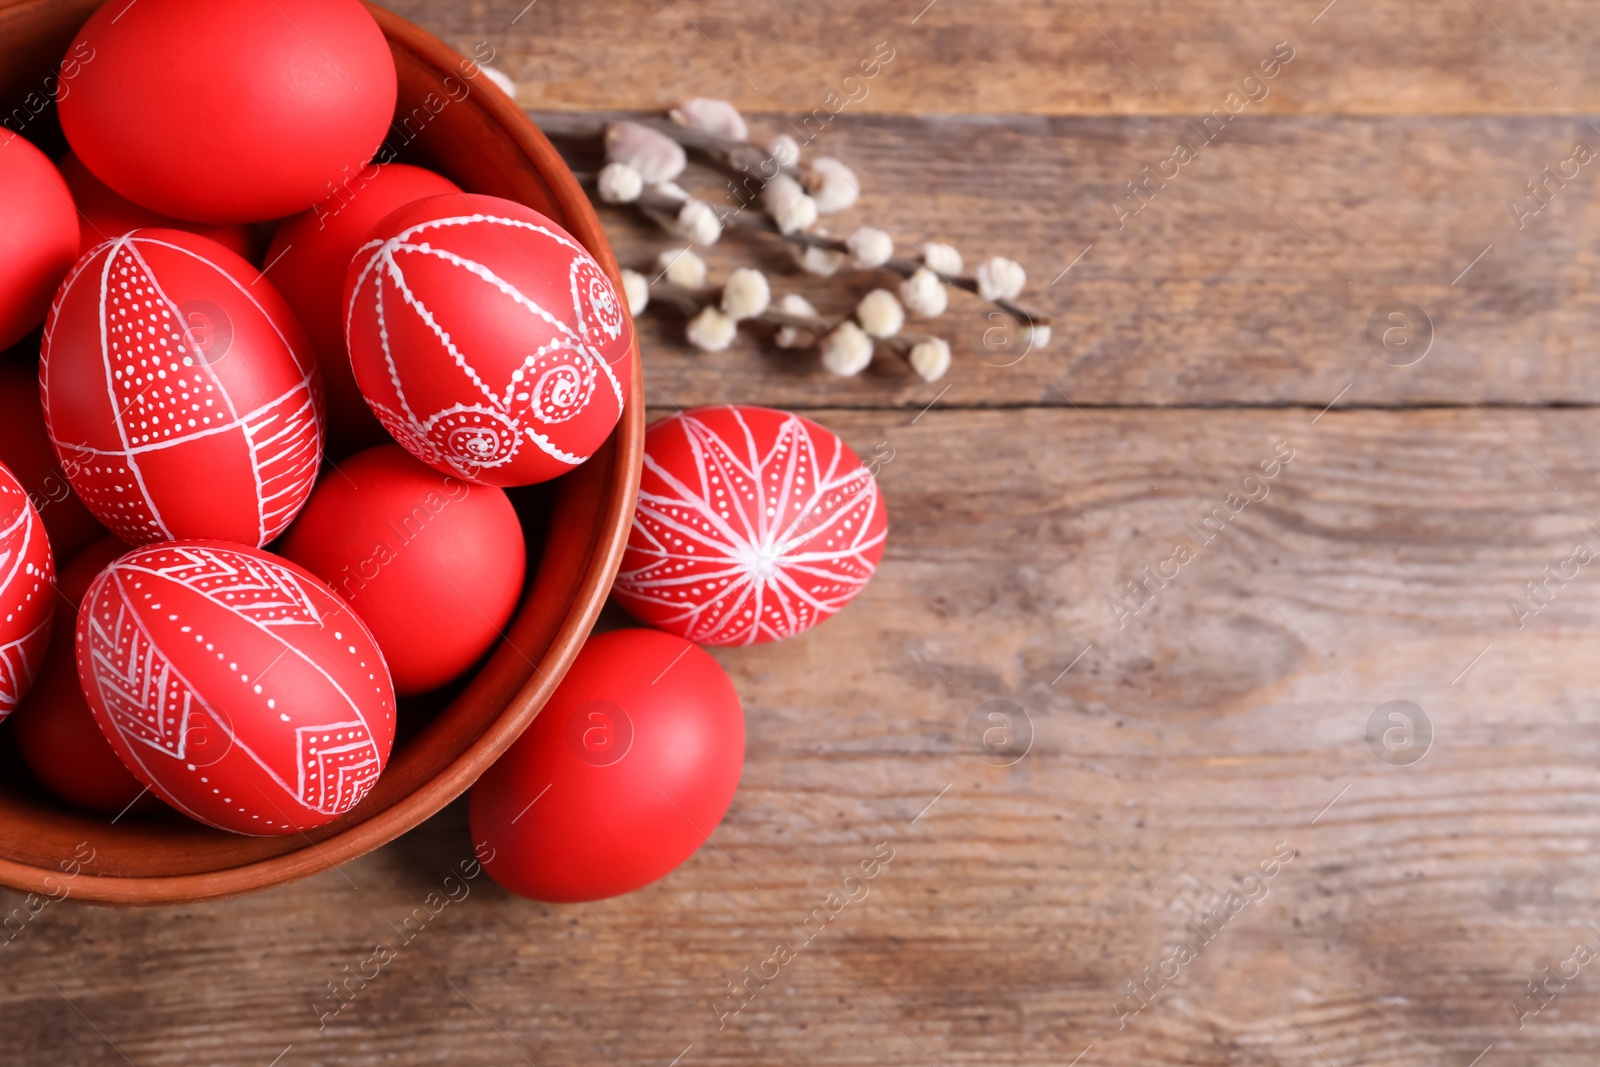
(1097, 892)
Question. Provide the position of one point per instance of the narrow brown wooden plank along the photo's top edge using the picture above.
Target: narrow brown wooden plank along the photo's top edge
(1353, 57)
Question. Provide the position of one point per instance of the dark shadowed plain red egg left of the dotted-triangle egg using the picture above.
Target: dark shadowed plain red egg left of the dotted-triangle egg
(25, 449)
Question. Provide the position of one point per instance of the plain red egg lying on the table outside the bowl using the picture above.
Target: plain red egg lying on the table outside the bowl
(625, 773)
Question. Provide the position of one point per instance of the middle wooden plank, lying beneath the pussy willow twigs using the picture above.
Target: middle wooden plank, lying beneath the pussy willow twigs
(1252, 278)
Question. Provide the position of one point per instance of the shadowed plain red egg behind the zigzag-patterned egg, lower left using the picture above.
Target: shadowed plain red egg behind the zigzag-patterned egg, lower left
(55, 727)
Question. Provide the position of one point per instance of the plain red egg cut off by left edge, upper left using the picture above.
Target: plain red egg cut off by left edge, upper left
(39, 236)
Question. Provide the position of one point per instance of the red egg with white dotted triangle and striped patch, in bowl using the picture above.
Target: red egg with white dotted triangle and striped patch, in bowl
(180, 393)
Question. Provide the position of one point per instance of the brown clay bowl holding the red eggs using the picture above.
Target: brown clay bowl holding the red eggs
(577, 529)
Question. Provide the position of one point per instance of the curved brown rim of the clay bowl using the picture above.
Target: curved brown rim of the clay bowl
(606, 556)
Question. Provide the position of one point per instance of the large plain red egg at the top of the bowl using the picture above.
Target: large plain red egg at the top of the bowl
(230, 113)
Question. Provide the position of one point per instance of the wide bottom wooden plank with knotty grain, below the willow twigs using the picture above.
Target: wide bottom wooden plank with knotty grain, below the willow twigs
(1222, 725)
